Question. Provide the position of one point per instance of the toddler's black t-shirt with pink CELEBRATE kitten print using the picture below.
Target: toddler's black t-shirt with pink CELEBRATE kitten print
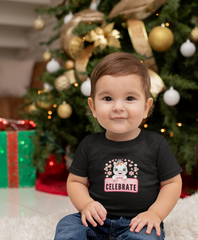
(125, 176)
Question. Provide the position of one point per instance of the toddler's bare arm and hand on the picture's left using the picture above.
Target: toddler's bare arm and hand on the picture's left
(90, 210)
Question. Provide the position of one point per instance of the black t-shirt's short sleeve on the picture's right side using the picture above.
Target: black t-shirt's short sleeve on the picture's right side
(168, 167)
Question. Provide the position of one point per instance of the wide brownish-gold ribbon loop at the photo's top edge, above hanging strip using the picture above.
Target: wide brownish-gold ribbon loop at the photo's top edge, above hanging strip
(142, 9)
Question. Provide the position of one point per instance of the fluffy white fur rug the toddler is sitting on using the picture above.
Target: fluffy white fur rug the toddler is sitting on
(181, 224)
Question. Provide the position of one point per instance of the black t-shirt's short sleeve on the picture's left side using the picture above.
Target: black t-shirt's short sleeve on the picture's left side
(79, 164)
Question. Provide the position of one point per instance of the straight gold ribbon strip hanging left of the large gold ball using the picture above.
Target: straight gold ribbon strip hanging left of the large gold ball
(139, 39)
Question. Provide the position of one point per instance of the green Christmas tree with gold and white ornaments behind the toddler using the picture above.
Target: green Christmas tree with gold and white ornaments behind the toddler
(162, 34)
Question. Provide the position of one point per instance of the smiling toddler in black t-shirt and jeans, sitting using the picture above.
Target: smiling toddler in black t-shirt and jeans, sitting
(115, 177)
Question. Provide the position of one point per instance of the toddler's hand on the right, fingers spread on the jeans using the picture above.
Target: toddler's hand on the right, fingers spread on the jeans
(148, 218)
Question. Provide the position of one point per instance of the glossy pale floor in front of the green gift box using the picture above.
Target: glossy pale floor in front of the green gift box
(15, 202)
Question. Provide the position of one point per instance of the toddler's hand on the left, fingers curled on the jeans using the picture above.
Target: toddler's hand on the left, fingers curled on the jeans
(93, 212)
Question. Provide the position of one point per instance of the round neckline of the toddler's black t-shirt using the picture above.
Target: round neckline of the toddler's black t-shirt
(114, 144)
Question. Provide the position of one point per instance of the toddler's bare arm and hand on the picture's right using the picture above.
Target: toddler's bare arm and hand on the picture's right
(159, 210)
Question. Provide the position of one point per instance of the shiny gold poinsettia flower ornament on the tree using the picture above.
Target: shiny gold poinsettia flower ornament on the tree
(104, 36)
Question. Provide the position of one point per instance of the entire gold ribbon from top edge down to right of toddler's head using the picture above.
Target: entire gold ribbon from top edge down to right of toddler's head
(134, 12)
